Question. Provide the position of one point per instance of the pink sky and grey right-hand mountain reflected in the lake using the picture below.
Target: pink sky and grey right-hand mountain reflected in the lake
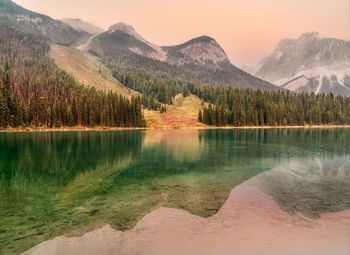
(254, 220)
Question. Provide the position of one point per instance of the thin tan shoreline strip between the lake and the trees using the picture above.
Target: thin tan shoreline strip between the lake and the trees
(110, 129)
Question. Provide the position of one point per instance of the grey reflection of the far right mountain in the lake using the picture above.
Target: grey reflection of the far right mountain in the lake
(310, 187)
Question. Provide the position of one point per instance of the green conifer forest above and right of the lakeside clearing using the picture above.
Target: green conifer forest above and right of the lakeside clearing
(243, 107)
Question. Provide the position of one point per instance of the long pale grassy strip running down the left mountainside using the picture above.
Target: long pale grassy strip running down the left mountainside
(87, 69)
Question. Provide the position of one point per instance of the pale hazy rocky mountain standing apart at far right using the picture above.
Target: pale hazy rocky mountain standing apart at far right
(310, 63)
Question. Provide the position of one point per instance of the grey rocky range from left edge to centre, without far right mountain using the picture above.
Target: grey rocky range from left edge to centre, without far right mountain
(199, 60)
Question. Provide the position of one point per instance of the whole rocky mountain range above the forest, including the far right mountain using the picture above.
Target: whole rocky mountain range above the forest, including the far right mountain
(307, 64)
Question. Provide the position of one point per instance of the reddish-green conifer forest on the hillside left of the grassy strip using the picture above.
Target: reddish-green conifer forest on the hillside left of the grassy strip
(34, 92)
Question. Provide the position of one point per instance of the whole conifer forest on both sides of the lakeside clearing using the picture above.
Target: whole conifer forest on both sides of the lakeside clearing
(35, 92)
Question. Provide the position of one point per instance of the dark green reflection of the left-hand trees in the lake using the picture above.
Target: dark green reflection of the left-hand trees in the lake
(61, 156)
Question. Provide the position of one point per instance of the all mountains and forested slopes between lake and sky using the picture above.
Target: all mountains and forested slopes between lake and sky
(74, 55)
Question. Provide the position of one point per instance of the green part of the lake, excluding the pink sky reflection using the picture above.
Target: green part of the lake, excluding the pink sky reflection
(54, 184)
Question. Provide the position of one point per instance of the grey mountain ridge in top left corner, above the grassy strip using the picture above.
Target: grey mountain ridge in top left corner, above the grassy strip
(23, 20)
